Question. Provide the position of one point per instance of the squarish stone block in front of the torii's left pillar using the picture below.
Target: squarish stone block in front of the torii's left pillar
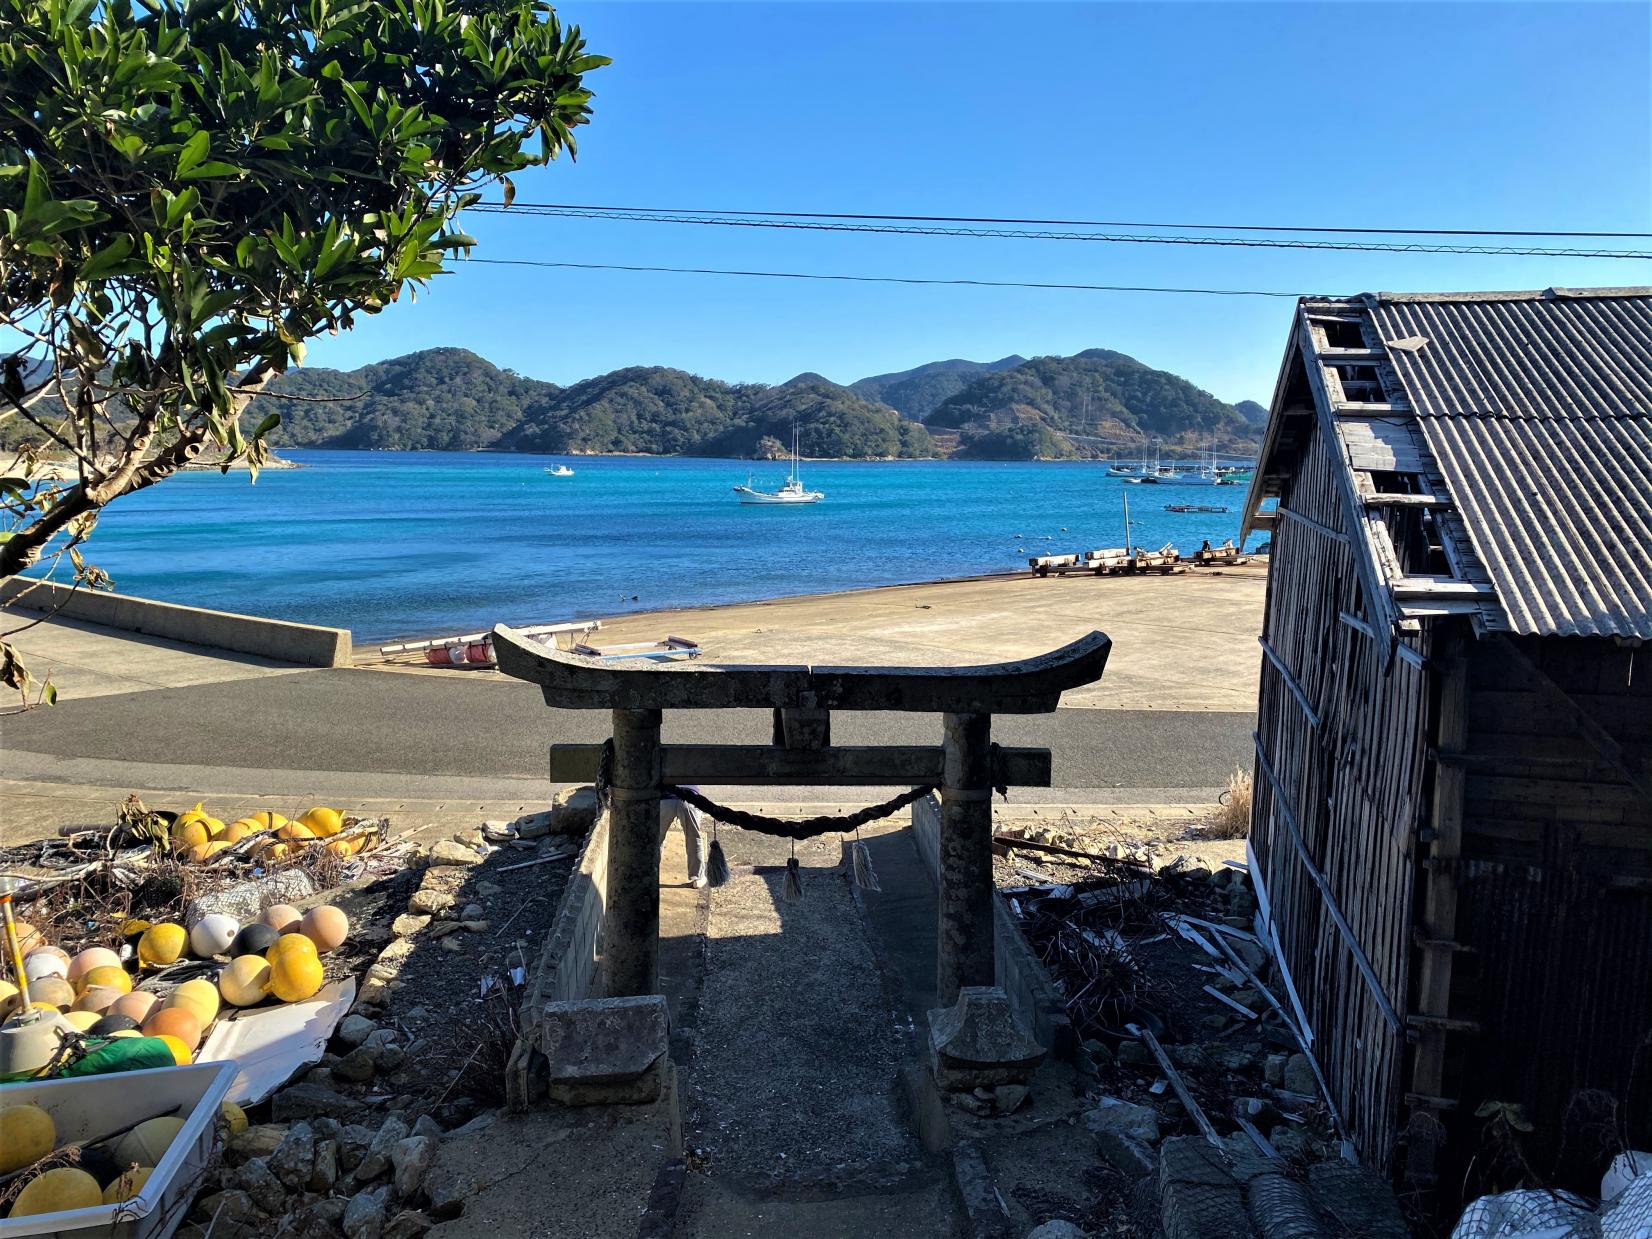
(605, 1042)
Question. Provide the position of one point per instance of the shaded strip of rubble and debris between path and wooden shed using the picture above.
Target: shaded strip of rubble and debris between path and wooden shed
(1202, 1091)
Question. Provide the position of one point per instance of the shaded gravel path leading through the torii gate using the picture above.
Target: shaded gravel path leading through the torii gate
(795, 1048)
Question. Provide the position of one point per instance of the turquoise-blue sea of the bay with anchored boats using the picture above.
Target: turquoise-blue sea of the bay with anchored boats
(427, 544)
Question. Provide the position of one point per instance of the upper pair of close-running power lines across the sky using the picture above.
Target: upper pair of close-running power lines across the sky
(1050, 235)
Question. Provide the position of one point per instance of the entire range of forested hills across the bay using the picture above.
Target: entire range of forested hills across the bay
(452, 399)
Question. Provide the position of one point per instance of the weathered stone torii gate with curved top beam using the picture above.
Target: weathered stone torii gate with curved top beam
(967, 767)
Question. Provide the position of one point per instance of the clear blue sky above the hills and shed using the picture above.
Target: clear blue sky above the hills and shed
(1355, 115)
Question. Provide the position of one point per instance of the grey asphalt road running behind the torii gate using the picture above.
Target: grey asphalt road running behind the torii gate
(382, 723)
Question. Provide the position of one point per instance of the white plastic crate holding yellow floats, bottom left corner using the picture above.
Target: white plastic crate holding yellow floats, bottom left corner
(93, 1106)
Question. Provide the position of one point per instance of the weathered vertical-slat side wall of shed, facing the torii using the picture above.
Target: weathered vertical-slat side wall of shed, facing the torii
(1352, 772)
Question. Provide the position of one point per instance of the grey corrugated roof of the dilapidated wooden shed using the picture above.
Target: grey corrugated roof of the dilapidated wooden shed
(1539, 411)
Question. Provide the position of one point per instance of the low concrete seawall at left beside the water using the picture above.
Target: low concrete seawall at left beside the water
(306, 645)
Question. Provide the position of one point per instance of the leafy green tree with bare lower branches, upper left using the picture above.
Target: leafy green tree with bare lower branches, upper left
(191, 191)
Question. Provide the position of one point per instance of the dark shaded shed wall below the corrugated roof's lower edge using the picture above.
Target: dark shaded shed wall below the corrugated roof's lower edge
(1555, 891)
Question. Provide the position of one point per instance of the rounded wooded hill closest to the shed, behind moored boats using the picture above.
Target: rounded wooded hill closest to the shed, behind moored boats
(1035, 407)
